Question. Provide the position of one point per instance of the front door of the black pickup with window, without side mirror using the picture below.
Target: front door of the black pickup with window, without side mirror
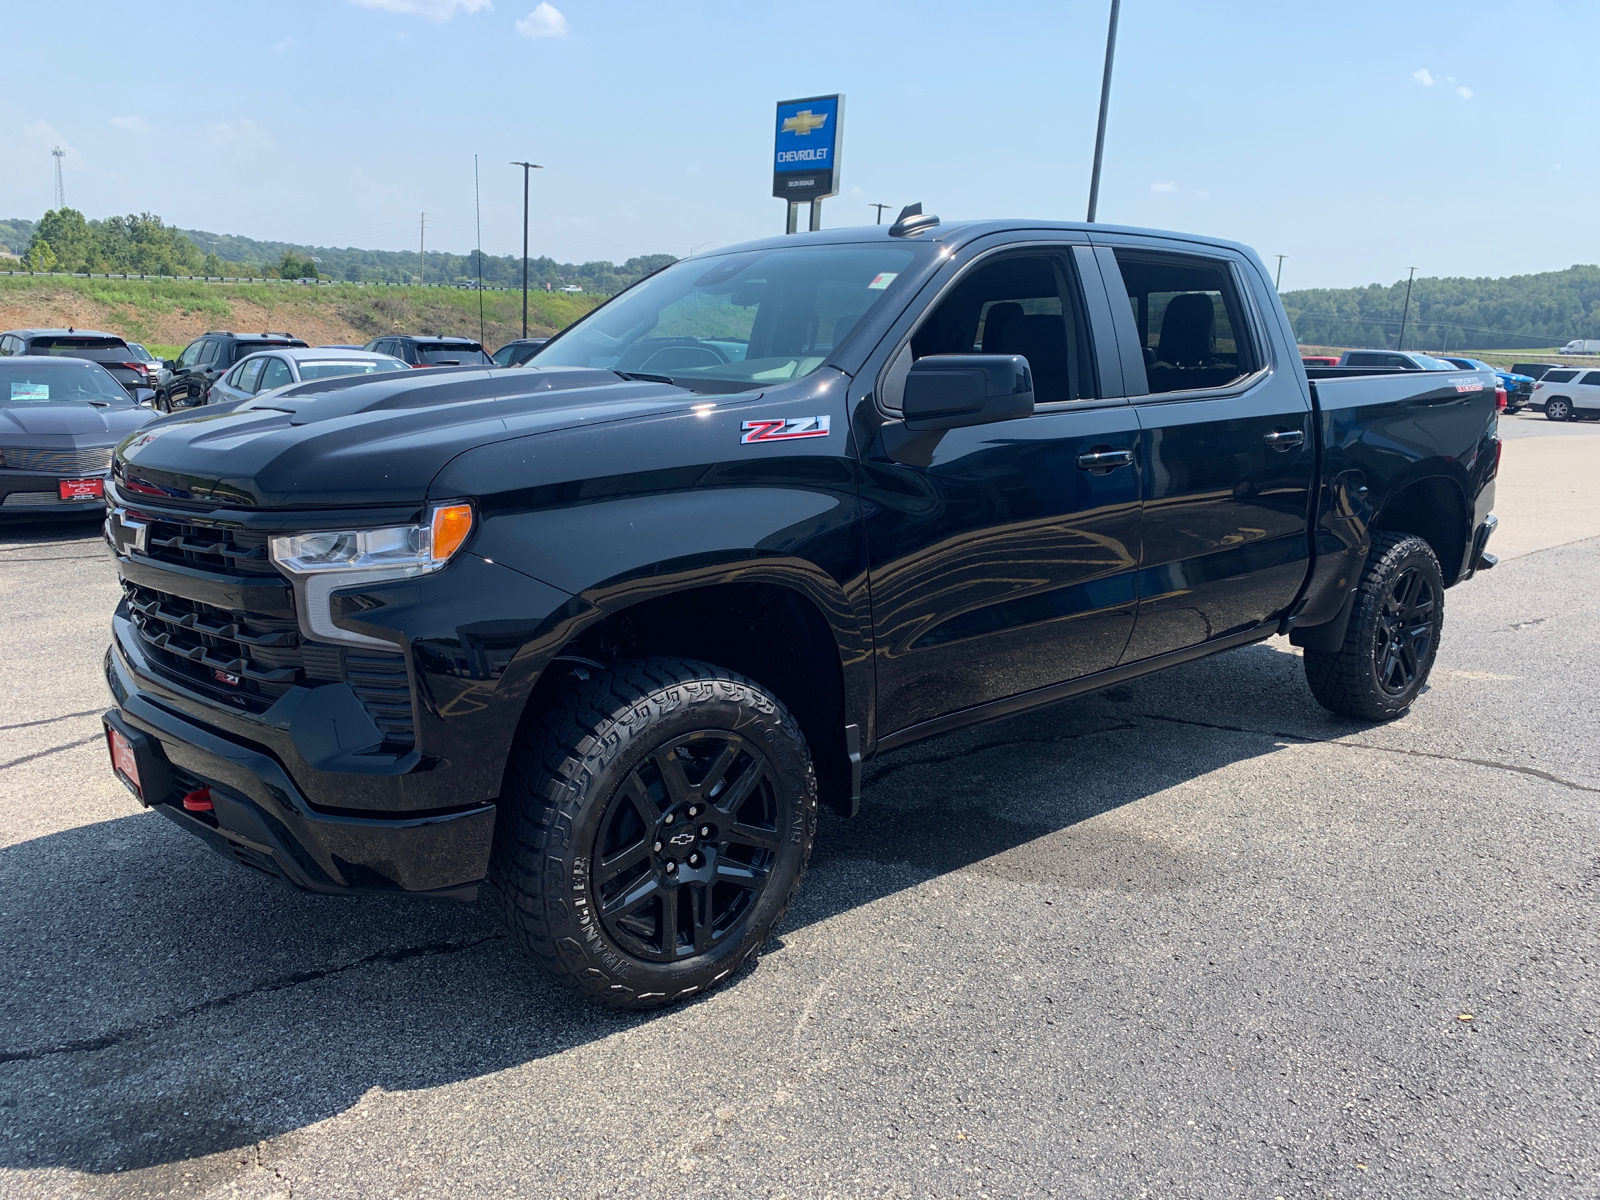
(1002, 556)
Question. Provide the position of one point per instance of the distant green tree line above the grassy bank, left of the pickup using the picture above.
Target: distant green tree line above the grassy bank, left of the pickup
(143, 244)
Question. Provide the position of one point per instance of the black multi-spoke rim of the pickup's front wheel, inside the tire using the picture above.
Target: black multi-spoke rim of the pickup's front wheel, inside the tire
(687, 847)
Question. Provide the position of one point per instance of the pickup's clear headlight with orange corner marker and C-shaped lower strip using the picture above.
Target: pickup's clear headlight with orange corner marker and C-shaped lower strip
(322, 562)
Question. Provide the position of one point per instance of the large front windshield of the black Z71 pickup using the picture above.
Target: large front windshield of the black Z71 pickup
(742, 321)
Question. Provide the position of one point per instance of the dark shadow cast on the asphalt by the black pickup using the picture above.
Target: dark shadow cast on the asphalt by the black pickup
(167, 1007)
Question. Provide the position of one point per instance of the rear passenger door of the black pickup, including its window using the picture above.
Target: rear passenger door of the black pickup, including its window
(1226, 442)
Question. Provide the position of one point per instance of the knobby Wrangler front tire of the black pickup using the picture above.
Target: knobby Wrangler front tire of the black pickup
(570, 770)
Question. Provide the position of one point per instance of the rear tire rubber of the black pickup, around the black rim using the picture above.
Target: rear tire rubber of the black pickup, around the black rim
(1348, 681)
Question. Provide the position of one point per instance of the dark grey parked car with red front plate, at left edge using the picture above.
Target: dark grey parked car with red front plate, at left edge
(60, 418)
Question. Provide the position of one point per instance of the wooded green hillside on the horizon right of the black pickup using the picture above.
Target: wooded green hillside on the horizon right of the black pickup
(1454, 313)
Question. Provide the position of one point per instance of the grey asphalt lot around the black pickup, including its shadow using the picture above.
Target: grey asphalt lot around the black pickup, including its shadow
(1186, 938)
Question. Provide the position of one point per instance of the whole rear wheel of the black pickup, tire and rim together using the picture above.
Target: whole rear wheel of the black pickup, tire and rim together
(1393, 636)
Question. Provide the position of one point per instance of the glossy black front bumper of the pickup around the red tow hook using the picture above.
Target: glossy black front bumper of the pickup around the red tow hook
(262, 820)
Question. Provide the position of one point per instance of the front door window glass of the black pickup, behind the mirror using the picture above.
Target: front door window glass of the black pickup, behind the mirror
(1017, 305)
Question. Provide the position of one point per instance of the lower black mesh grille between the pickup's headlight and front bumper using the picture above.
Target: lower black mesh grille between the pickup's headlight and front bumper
(202, 647)
